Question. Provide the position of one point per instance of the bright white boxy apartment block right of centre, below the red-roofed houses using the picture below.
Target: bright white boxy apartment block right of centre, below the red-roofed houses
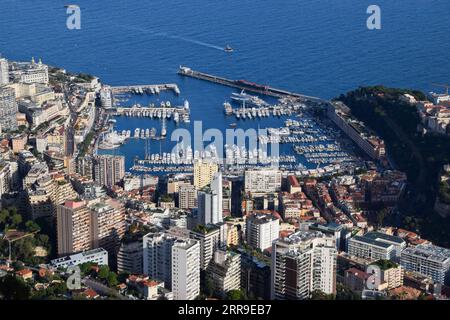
(262, 230)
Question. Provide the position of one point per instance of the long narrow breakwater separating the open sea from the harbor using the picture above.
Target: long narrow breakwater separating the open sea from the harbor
(246, 85)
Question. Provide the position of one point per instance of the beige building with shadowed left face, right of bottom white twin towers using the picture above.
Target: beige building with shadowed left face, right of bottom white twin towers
(224, 272)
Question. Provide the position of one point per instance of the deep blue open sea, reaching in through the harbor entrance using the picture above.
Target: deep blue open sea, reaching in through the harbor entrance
(316, 47)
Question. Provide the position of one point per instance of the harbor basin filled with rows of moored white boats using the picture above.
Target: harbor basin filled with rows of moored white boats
(305, 145)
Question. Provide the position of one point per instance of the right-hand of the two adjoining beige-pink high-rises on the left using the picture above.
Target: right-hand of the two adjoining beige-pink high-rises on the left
(107, 225)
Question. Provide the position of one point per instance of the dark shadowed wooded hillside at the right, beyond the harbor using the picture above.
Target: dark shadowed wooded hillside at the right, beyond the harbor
(420, 156)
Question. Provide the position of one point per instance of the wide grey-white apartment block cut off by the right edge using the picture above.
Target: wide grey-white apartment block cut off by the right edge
(429, 260)
